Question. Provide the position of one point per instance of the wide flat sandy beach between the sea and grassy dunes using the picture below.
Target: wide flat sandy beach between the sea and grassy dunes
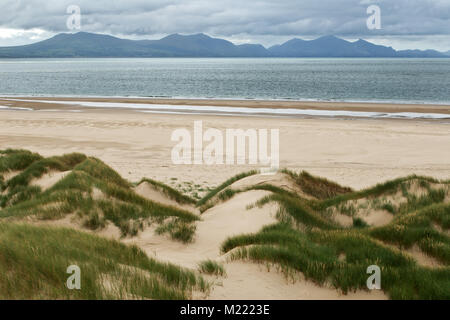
(357, 153)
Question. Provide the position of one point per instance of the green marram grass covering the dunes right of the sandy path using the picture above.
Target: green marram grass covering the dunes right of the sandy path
(307, 240)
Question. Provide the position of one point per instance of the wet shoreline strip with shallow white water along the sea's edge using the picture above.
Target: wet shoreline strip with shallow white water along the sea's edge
(222, 107)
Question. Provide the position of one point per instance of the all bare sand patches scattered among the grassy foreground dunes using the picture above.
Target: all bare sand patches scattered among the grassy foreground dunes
(243, 280)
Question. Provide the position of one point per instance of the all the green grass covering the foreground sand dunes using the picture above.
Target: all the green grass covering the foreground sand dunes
(306, 238)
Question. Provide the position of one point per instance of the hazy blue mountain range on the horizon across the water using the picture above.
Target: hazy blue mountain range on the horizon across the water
(83, 44)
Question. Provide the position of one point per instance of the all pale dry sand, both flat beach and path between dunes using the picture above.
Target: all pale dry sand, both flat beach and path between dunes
(354, 153)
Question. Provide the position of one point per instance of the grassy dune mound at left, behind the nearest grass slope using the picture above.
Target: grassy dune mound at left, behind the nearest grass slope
(75, 193)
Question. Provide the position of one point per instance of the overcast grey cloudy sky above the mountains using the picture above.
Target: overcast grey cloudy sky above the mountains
(405, 24)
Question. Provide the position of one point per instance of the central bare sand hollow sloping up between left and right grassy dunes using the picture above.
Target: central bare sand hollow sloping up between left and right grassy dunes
(218, 223)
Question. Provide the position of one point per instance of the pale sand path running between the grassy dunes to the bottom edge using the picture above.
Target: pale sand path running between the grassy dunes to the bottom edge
(243, 280)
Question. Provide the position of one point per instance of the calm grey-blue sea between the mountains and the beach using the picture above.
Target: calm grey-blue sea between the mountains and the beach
(396, 80)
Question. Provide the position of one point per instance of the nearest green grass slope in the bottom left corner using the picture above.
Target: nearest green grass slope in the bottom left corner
(34, 262)
